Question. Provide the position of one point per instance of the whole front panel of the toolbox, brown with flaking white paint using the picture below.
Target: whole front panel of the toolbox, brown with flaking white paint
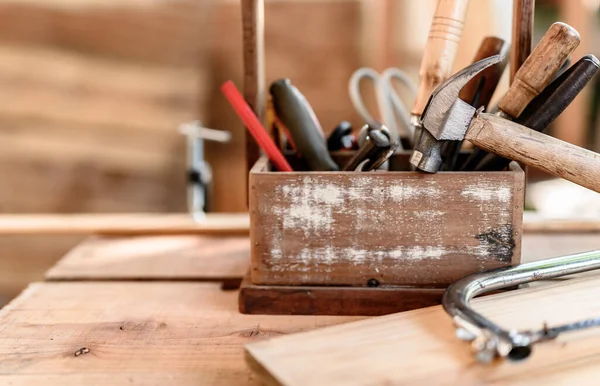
(401, 228)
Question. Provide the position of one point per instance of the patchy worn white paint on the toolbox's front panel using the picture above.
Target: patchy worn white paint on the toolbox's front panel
(316, 227)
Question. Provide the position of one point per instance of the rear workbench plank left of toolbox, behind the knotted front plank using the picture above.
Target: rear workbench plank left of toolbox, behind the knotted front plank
(157, 258)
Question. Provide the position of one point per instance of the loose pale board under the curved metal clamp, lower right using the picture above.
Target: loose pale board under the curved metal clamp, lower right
(420, 347)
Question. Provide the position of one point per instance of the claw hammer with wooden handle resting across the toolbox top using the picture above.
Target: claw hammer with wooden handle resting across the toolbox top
(447, 117)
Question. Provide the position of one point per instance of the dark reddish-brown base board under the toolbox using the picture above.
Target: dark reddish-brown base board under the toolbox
(333, 300)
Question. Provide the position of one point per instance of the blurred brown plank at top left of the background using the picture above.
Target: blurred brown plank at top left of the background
(158, 31)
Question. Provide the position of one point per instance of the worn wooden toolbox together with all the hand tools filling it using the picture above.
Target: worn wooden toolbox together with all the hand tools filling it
(341, 224)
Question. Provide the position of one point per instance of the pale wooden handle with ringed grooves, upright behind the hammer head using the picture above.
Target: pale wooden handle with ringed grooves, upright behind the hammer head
(440, 50)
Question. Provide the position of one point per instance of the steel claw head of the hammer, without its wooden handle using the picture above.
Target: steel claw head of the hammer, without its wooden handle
(446, 116)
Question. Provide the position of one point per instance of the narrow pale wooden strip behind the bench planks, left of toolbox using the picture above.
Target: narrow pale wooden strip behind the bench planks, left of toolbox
(124, 224)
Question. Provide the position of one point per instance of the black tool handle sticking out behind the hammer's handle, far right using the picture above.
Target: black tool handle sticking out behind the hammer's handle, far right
(547, 106)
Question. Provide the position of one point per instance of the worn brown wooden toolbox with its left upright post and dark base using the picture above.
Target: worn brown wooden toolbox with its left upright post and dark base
(366, 243)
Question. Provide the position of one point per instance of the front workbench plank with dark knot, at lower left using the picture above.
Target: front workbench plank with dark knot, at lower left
(133, 334)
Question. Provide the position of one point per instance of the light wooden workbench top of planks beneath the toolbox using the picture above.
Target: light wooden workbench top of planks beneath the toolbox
(92, 324)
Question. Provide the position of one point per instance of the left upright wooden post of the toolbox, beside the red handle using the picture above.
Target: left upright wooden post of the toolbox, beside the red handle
(253, 25)
